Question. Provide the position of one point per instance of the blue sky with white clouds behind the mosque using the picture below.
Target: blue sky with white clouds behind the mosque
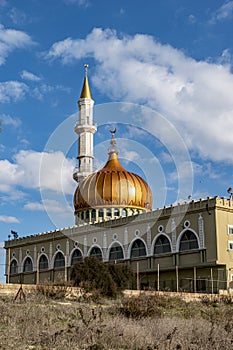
(159, 70)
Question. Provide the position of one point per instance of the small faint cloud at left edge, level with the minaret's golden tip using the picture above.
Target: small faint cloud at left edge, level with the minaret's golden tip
(12, 91)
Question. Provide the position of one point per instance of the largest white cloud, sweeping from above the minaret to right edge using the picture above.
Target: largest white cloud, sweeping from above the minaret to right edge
(195, 96)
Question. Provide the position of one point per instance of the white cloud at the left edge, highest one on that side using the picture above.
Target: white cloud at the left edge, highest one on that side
(11, 39)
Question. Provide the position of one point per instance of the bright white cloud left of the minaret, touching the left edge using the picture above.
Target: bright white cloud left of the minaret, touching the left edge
(37, 170)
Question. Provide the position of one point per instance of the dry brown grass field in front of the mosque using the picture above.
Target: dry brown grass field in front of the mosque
(154, 323)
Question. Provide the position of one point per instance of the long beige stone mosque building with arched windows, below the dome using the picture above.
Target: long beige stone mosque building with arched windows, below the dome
(186, 247)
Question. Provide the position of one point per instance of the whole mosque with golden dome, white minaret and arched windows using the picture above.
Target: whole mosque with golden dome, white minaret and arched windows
(186, 247)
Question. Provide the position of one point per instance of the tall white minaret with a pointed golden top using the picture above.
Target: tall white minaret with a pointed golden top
(85, 128)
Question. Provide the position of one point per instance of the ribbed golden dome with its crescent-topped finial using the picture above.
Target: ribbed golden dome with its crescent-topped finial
(113, 186)
